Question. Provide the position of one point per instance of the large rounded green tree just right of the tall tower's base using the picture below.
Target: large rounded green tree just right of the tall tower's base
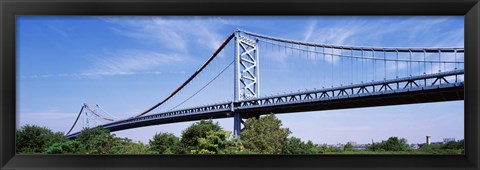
(264, 135)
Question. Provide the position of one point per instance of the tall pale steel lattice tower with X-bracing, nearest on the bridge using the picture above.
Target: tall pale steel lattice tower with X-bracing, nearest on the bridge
(246, 84)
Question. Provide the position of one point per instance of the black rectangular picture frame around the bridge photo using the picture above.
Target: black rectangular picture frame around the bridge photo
(11, 8)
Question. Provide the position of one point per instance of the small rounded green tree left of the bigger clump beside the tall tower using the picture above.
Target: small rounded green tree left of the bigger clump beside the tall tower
(165, 143)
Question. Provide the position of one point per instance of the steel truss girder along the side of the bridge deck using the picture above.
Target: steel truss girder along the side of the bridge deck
(351, 91)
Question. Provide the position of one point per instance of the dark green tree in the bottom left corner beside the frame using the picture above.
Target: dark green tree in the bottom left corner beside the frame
(35, 139)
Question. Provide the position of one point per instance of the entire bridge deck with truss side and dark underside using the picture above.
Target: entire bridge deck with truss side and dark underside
(444, 86)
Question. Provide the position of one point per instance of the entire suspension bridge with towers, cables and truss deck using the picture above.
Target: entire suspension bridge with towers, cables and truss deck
(325, 77)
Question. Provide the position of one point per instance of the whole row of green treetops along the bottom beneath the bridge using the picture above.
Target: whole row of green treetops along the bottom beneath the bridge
(264, 135)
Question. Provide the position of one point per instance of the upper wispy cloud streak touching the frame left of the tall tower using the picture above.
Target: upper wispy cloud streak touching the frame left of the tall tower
(175, 33)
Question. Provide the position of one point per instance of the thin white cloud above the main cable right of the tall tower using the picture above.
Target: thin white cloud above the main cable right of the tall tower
(360, 32)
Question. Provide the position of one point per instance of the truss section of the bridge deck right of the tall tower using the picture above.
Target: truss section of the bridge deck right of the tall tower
(422, 82)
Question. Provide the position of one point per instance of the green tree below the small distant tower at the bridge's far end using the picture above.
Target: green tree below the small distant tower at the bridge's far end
(96, 140)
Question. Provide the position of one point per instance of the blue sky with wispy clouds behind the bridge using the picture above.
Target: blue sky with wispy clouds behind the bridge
(127, 64)
